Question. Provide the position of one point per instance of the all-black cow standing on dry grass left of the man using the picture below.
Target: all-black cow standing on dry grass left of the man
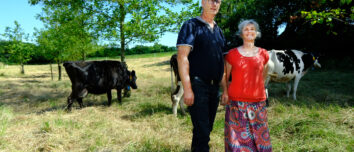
(98, 77)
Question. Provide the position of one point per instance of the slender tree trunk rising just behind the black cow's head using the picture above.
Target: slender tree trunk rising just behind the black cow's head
(122, 38)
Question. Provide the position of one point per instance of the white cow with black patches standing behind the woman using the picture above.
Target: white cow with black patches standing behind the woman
(286, 65)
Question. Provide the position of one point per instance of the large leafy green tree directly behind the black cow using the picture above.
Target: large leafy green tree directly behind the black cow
(122, 21)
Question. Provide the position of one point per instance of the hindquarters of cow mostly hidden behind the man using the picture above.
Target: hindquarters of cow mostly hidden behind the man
(177, 91)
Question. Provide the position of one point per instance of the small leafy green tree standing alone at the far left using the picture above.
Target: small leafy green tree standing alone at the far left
(20, 52)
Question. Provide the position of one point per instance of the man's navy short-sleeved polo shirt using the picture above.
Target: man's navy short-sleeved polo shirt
(207, 47)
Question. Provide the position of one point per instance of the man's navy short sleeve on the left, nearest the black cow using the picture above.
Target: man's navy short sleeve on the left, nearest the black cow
(186, 35)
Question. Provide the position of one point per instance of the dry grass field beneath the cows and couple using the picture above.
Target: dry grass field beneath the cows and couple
(32, 116)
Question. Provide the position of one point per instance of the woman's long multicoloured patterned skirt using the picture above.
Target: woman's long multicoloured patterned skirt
(246, 127)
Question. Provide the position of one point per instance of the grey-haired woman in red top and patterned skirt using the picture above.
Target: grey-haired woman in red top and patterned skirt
(246, 126)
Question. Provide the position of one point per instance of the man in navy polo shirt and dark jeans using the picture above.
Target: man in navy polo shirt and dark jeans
(200, 46)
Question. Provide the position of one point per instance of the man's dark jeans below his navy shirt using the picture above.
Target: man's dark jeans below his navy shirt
(203, 111)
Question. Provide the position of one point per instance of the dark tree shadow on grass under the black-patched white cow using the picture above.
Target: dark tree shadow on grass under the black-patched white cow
(324, 88)
